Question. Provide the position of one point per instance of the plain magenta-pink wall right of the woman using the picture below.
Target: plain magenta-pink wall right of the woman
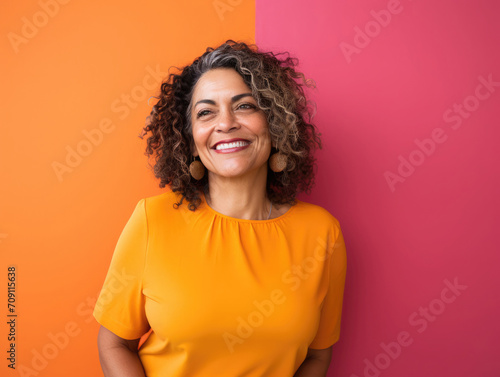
(408, 97)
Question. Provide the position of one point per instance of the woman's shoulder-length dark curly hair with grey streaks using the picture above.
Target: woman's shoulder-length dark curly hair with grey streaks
(277, 92)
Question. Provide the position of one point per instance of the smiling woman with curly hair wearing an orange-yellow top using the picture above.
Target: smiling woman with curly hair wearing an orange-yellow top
(232, 275)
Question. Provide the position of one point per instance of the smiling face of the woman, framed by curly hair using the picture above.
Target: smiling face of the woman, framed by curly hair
(224, 109)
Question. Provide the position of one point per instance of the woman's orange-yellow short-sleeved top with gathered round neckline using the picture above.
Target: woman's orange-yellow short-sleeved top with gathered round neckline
(225, 296)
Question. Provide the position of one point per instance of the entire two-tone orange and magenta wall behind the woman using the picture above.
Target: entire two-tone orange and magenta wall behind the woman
(408, 103)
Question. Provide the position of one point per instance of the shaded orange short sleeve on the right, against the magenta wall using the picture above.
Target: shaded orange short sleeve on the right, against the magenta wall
(328, 331)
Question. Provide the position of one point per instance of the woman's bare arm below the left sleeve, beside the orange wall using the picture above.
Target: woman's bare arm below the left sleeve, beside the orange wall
(118, 356)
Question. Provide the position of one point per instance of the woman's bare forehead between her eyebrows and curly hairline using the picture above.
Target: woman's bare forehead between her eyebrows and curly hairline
(219, 81)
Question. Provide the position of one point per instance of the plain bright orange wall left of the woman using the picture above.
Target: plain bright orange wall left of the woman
(76, 78)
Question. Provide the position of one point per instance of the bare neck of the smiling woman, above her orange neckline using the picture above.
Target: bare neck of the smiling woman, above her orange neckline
(239, 197)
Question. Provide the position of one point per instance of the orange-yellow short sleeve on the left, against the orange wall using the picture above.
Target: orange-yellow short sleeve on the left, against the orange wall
(120, 305)
